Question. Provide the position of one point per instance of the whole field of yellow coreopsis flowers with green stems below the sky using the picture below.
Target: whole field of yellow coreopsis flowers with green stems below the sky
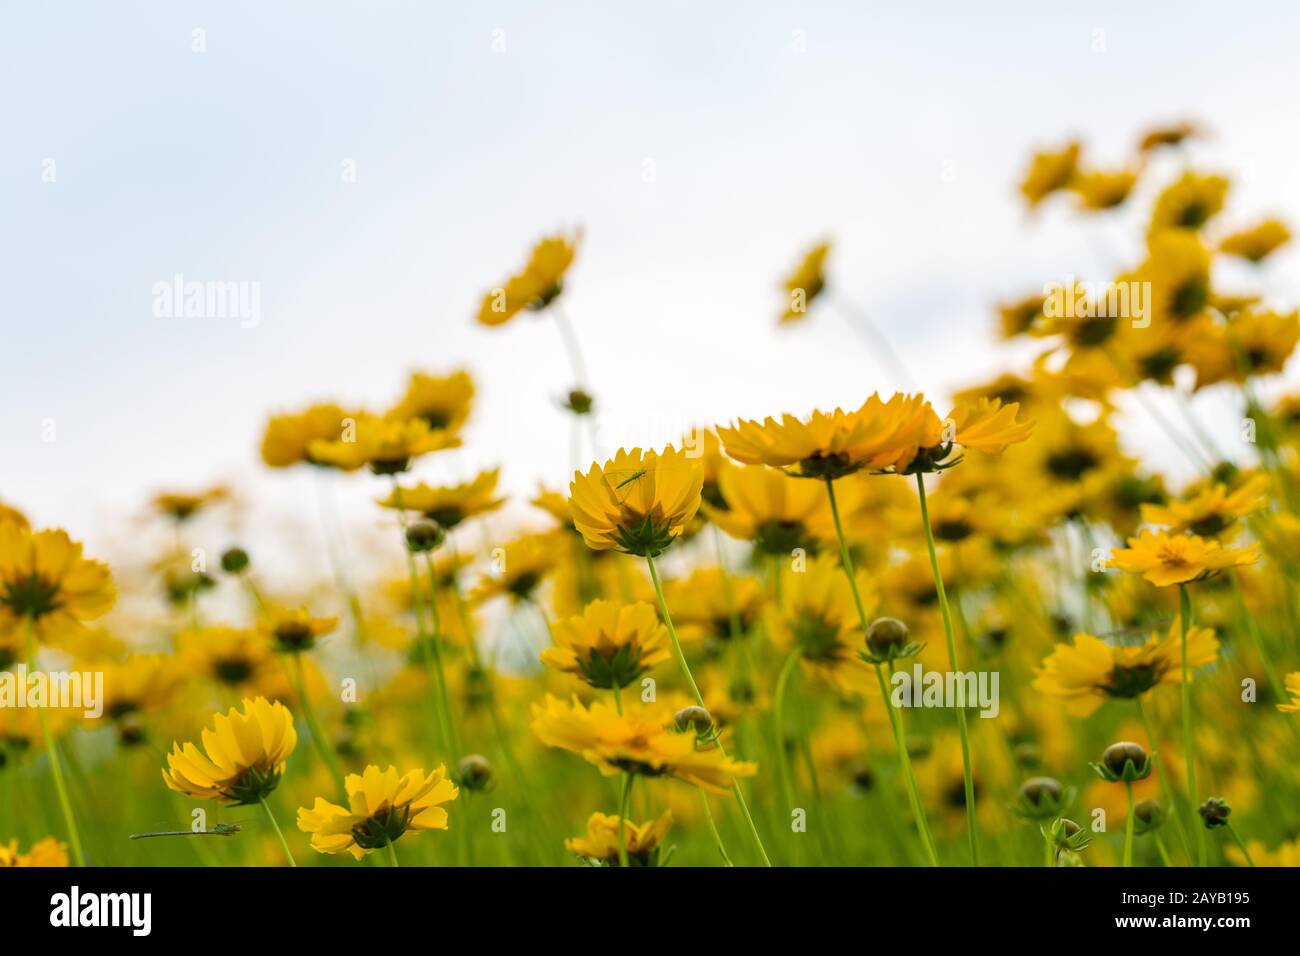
(778, 638)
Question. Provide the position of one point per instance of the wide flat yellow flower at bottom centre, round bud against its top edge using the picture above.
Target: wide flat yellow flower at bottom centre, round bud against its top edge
(642, 741)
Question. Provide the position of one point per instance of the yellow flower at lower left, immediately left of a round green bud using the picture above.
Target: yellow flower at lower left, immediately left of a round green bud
(383, 807)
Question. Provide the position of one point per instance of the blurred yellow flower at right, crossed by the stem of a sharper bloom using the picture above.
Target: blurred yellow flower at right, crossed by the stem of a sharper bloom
(1090, 672)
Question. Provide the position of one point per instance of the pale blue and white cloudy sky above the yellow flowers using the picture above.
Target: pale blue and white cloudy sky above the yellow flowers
(375, 167)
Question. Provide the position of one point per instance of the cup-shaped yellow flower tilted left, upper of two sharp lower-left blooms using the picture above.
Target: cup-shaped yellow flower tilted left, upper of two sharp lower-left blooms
(246, 751)
